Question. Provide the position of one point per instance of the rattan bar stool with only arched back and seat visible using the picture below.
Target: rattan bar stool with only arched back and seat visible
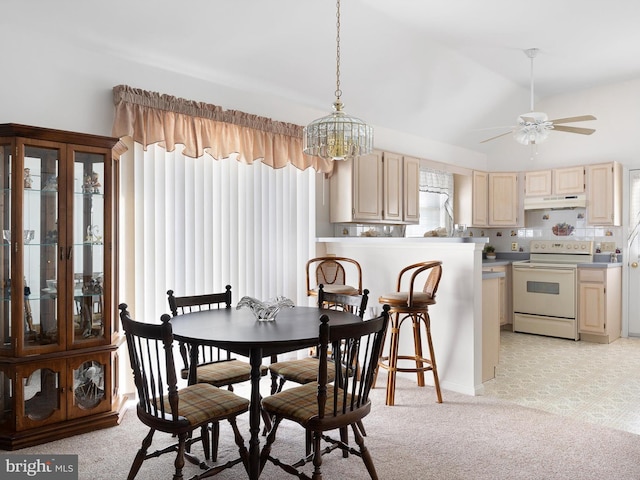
(330, 271)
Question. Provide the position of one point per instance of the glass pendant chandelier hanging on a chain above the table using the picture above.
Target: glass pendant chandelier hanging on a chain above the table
(338, 136)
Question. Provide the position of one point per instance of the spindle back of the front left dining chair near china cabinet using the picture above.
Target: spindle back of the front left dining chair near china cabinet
(150, 349)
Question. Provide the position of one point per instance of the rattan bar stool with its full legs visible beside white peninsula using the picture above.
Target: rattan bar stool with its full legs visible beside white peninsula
(415, 305)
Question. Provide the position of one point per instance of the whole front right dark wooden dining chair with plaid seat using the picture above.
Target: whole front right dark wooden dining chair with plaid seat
(331, 403)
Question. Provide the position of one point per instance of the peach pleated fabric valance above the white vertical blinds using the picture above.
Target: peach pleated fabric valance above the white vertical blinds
(150, 117)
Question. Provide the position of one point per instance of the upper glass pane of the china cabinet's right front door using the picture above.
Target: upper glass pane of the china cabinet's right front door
(88, 246)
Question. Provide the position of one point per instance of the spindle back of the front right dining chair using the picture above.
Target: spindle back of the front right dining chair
(358, 344)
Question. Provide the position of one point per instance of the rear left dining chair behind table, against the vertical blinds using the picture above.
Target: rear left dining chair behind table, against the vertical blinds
(215, 366)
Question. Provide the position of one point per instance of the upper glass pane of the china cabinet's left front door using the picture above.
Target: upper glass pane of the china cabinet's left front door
(39, 238)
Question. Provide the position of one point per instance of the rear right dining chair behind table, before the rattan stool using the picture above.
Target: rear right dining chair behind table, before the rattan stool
(305, 370)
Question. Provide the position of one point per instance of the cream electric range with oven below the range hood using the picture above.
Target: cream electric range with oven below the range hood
(545, 287)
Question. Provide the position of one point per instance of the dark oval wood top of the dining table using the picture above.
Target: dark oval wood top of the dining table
(238, 331)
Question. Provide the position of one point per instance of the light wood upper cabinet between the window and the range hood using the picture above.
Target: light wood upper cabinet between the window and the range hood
(486, 199)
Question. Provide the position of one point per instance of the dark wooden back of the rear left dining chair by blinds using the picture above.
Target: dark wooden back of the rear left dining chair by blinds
(195, 303)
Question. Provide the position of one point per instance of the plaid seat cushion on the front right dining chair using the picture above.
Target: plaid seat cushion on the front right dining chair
(299, 404)
